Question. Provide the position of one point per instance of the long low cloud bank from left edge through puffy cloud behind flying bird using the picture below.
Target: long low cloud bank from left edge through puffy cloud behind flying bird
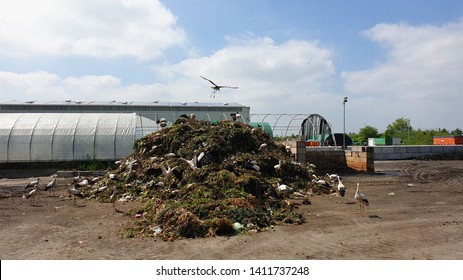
(272, 78)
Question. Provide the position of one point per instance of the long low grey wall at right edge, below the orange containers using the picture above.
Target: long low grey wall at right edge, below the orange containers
(407, 152)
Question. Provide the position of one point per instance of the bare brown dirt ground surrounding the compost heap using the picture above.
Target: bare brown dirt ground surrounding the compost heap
(403, 222)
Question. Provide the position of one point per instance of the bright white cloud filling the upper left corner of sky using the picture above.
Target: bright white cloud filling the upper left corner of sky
(103, 28)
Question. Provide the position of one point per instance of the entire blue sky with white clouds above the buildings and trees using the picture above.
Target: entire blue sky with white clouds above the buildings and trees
(391, 58)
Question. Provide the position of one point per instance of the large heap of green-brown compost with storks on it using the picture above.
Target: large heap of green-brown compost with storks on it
(198, 179)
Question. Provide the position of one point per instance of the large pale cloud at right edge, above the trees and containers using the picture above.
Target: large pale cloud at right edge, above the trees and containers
(420, 78)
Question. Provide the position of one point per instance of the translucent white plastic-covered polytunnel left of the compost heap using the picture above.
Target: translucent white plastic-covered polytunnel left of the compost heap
(48, 137)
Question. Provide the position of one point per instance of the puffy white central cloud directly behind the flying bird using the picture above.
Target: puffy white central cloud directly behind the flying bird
(271, 77)
